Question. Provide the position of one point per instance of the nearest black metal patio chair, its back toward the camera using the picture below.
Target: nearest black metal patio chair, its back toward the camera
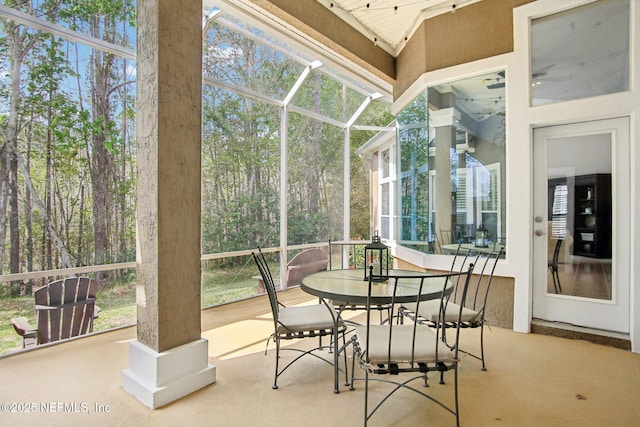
(399, 353)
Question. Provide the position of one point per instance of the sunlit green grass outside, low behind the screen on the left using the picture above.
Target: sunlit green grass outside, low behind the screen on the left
(118, 307)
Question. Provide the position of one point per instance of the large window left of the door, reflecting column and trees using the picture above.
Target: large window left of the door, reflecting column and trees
(451, 164)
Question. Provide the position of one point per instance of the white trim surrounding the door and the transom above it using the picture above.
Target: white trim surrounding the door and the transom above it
(523, 118)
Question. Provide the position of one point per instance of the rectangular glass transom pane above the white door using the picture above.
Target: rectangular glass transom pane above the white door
(580, 53)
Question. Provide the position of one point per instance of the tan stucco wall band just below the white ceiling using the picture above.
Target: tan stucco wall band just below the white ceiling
(473, 32)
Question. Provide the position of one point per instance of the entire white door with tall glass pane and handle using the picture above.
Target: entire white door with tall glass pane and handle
(582, 209)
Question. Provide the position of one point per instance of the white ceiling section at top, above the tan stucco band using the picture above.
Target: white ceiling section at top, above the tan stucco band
(388, 23)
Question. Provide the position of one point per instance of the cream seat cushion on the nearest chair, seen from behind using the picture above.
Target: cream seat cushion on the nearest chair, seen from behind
(402, 339)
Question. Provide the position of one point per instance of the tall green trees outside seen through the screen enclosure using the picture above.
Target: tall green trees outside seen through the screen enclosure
(64, 123)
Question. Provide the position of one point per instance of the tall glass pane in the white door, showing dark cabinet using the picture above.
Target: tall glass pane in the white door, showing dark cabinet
(579, 216)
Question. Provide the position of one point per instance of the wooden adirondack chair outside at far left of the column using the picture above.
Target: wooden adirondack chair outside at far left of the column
(65, 308)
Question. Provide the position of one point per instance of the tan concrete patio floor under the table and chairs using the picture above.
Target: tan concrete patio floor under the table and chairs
(532, 380)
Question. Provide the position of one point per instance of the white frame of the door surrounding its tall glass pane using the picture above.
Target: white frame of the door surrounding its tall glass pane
(614, 315)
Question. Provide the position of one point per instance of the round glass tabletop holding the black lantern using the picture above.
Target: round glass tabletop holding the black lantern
(350, 286)
